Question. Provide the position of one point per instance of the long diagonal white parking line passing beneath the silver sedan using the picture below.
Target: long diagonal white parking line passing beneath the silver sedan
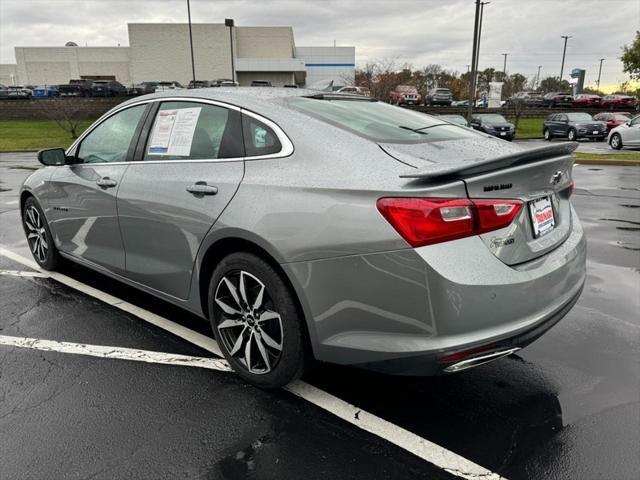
(412, 443)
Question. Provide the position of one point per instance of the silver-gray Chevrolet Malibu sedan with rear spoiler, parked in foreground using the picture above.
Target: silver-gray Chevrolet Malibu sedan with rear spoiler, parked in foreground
(307, 225)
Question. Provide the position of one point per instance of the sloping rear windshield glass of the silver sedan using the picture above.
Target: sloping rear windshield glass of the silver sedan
(379, 121)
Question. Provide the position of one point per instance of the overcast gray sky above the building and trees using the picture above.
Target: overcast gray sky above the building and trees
(417, 32)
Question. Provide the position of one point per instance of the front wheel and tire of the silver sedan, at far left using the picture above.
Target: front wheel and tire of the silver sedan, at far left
(41, 245)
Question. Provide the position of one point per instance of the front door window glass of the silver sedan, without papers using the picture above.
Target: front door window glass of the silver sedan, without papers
(109, 141)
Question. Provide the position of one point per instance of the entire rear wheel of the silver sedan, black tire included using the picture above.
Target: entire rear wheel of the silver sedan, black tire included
(273, 367)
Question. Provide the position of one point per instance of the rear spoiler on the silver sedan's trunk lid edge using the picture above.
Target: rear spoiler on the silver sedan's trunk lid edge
(469, 168)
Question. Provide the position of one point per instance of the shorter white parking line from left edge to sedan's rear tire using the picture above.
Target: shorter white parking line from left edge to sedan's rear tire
(120, 353)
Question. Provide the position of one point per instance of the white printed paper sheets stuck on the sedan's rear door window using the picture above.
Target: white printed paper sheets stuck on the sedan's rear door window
(173, 132)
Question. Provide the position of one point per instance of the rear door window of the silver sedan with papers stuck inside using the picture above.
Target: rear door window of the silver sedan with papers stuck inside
(194, 131)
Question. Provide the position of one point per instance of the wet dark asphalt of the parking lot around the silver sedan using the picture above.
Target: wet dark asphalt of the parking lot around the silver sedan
(567, 406)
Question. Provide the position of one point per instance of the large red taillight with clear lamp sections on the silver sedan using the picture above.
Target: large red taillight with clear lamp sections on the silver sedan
(425, 221)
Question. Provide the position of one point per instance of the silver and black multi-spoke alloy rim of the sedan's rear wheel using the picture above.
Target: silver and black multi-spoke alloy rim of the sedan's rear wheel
(250, 328)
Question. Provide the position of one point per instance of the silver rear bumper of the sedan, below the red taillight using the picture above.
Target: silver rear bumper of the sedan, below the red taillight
(401, 312)
